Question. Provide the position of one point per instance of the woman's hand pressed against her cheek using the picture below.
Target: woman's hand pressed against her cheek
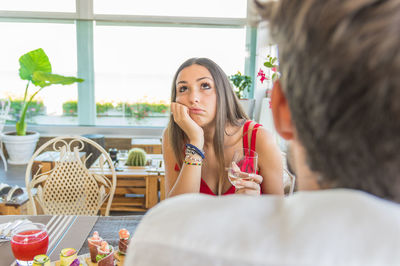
(181, 116)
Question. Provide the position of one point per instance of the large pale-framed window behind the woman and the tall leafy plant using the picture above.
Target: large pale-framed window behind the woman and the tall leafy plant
(137, 47)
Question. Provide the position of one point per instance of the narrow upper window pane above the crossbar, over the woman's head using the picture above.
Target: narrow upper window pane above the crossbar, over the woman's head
(187, 8)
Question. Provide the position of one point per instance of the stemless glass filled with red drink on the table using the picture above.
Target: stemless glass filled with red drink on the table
(29, 240)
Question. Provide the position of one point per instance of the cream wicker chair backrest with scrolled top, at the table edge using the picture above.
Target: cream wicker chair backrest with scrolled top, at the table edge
(68, 187)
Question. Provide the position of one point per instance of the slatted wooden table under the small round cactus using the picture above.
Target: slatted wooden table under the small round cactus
(137, 188)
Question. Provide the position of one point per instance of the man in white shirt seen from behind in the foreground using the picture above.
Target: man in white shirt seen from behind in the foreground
(338, 103)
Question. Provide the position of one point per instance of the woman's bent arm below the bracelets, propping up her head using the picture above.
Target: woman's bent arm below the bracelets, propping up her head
(176, 183)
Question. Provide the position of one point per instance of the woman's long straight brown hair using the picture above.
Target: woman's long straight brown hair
(229, 112)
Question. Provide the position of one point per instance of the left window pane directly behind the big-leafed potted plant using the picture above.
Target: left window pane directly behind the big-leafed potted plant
(59, 43)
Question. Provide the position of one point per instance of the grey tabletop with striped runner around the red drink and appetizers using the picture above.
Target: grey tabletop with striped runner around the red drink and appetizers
(72, 232)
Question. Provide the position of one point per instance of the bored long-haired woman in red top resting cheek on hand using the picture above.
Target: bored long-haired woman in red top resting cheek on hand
(207, 125)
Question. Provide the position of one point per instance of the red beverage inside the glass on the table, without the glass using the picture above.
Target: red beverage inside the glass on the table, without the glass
(27, 244)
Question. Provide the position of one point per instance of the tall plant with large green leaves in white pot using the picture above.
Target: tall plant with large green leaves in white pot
(35, 67)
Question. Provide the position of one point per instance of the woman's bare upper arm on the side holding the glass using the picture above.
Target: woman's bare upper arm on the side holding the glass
(269, 162)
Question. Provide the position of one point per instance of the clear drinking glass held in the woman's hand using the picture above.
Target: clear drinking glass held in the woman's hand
(244, 162)
